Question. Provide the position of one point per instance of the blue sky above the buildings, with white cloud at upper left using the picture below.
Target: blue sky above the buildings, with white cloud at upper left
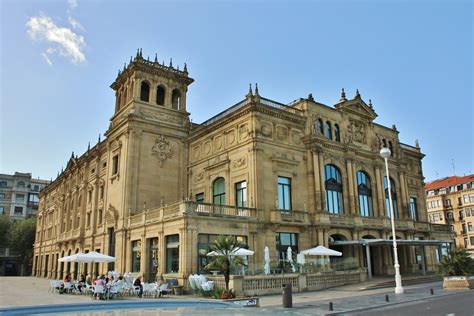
(414, 59)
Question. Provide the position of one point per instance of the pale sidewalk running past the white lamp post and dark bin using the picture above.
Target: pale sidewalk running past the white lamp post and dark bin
(349, 298)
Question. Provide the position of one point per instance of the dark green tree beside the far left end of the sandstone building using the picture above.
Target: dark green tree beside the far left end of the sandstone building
(21, 239)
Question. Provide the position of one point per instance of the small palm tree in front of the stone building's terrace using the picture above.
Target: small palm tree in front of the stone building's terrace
(224, 246)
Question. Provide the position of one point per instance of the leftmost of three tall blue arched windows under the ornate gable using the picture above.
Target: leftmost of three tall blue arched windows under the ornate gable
(333, 184)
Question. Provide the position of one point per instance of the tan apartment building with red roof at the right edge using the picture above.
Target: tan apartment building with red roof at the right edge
(451, 201)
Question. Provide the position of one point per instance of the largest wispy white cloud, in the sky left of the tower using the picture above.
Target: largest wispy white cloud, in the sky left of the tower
(63, 40)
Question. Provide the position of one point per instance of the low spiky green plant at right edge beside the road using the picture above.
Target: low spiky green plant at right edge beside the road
(457, 263)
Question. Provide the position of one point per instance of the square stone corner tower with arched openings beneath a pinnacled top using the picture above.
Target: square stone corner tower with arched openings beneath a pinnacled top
(146, 135)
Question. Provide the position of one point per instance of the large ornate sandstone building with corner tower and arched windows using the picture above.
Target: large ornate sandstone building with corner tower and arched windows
(159, 189)
